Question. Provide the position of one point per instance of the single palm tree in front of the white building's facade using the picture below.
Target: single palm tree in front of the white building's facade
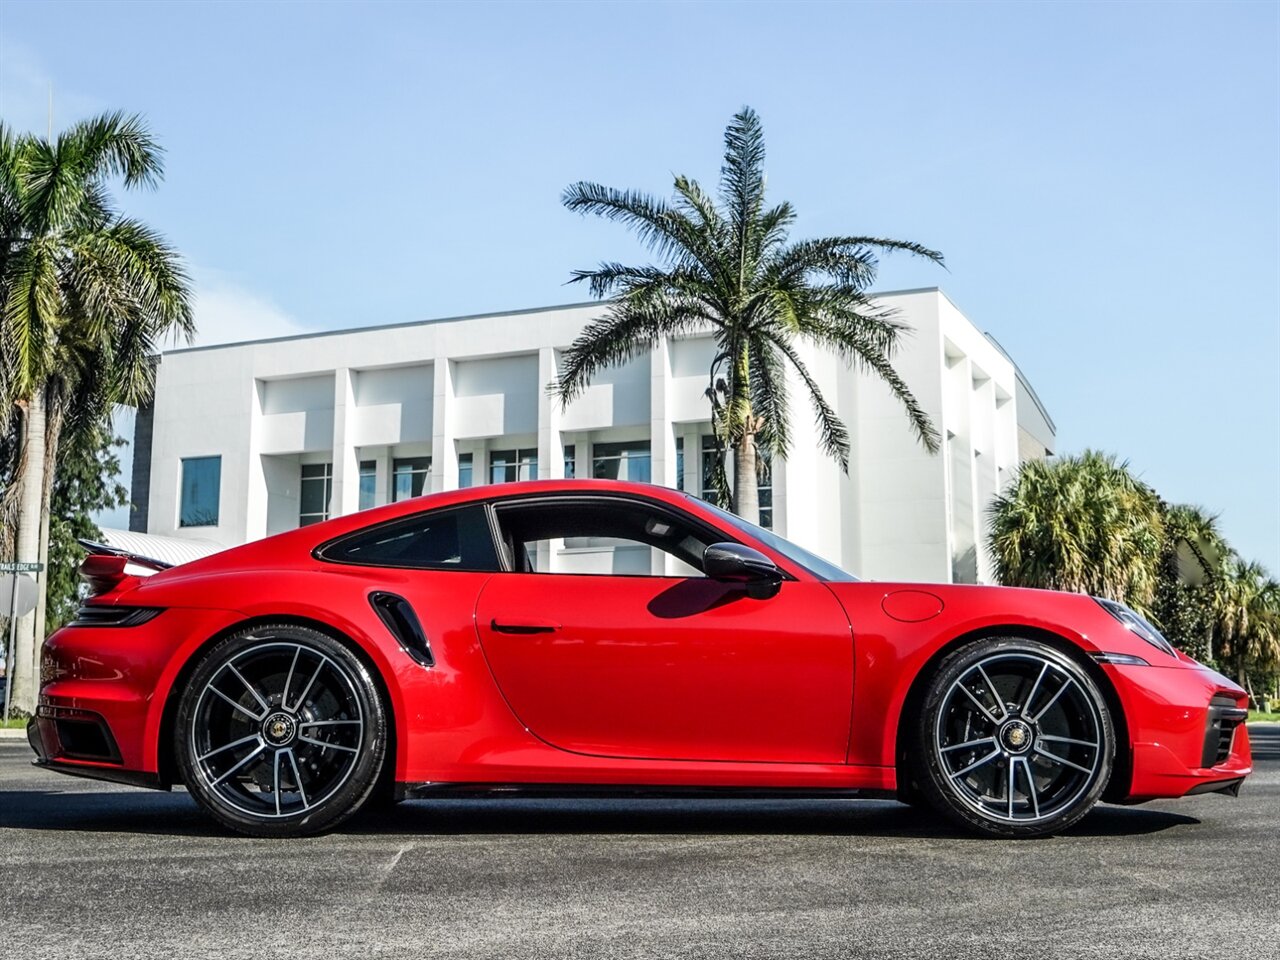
(730, 268)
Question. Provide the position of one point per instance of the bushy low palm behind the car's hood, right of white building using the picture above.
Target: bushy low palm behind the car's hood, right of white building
(1082, 524)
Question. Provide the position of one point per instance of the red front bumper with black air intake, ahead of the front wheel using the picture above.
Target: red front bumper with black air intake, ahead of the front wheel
(1187, 732)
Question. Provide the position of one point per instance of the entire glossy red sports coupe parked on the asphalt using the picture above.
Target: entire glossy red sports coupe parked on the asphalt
(422, 650)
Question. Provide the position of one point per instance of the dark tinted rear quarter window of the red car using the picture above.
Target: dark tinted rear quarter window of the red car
(444, 540)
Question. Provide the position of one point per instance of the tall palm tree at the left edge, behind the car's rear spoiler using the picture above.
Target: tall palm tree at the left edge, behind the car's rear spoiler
(86, 294)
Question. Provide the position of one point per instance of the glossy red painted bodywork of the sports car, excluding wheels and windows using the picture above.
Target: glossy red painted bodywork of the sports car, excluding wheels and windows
(615, 680)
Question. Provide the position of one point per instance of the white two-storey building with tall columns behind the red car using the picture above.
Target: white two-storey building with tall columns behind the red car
(250, 440)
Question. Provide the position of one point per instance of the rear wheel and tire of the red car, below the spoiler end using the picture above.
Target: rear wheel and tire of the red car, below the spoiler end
(281, 733)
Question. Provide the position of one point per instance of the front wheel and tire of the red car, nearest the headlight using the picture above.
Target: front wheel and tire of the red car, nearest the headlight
(1027, 764)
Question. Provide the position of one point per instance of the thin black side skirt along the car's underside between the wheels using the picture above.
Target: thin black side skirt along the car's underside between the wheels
(611, 792)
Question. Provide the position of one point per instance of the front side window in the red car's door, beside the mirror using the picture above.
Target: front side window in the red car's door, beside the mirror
(601, 536)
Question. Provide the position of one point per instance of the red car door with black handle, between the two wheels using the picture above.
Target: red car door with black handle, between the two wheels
(666, 668)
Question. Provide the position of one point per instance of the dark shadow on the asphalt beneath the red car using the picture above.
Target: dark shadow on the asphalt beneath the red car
(177, 815)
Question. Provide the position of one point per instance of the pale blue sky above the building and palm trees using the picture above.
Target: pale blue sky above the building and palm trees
(1103, 179)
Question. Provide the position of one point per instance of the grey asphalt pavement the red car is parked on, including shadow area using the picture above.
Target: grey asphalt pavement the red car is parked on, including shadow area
(95, 871)
